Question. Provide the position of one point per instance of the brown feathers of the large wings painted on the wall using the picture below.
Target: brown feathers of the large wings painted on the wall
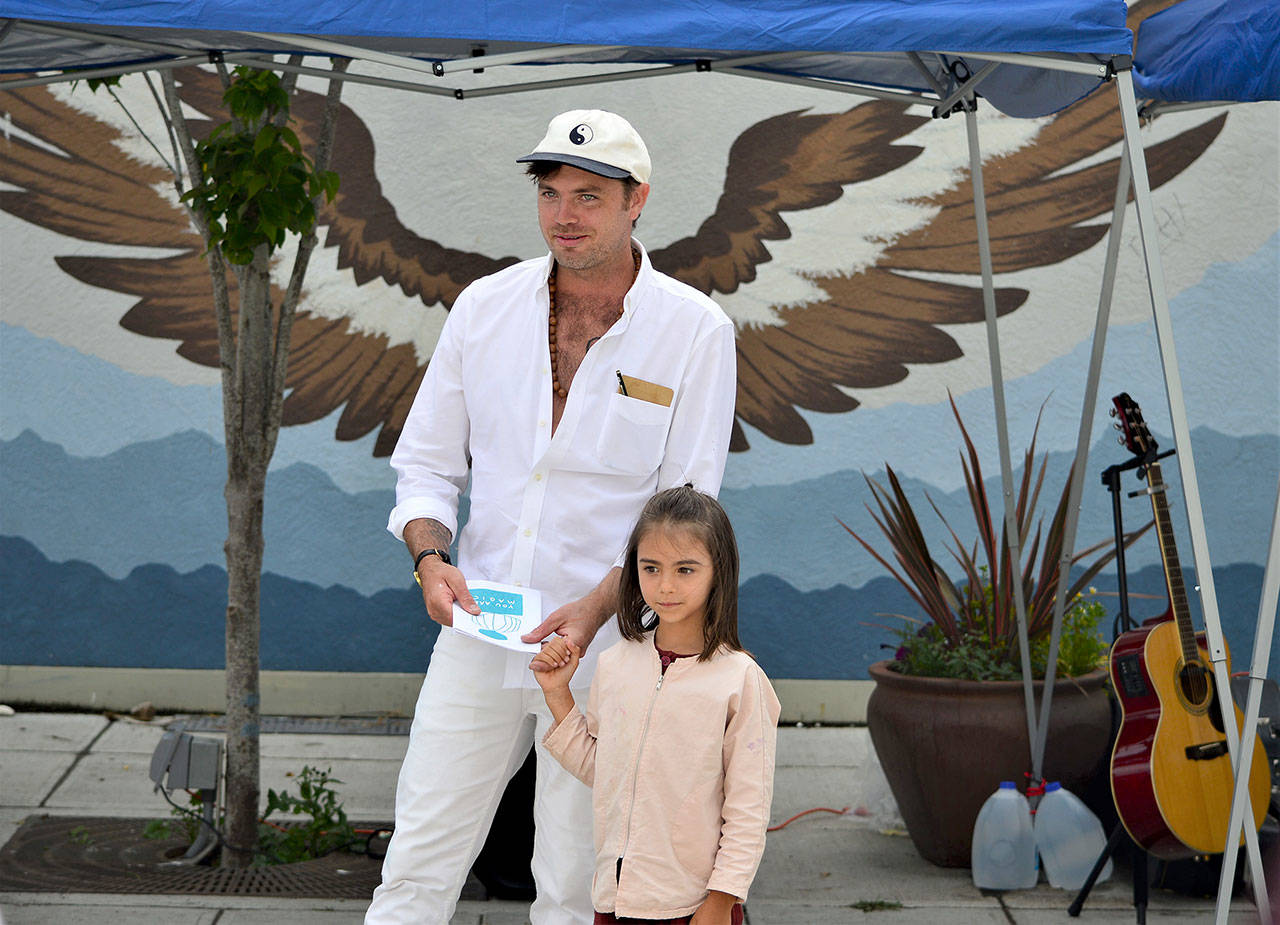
(1048, 202)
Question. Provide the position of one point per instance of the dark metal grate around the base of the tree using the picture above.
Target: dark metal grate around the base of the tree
(97, 855)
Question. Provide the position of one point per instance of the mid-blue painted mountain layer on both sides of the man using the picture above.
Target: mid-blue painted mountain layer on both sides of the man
(162, 502)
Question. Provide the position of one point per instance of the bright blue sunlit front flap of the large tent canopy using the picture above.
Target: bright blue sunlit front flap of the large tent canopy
(1085, 26)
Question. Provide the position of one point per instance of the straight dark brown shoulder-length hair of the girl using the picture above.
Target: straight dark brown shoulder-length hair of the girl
(702, 516)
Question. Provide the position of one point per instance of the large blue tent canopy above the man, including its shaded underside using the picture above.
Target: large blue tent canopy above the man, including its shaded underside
(851, 42)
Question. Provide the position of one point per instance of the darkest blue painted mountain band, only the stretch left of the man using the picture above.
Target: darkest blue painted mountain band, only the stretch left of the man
(74, 615)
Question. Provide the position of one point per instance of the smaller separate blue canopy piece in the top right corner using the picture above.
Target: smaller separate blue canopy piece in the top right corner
(1210, 51)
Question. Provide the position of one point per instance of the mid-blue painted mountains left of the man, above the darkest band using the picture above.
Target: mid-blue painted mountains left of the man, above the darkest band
(162, 502)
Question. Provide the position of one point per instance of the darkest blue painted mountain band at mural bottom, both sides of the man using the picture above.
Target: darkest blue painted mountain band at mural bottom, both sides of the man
(74, 615)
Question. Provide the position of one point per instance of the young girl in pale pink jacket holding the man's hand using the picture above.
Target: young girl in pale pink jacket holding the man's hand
(680, 730)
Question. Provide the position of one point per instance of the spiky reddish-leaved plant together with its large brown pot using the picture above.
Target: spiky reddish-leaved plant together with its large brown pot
(949, 716)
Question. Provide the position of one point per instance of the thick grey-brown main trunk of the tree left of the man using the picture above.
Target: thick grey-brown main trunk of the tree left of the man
(249, 452)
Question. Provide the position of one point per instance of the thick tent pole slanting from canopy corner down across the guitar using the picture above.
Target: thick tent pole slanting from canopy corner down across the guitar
(1186, 460)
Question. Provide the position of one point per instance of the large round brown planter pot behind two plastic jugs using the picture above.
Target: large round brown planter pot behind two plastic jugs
(945, 745)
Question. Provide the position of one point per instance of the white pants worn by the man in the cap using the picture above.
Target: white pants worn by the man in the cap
(469, 738)
